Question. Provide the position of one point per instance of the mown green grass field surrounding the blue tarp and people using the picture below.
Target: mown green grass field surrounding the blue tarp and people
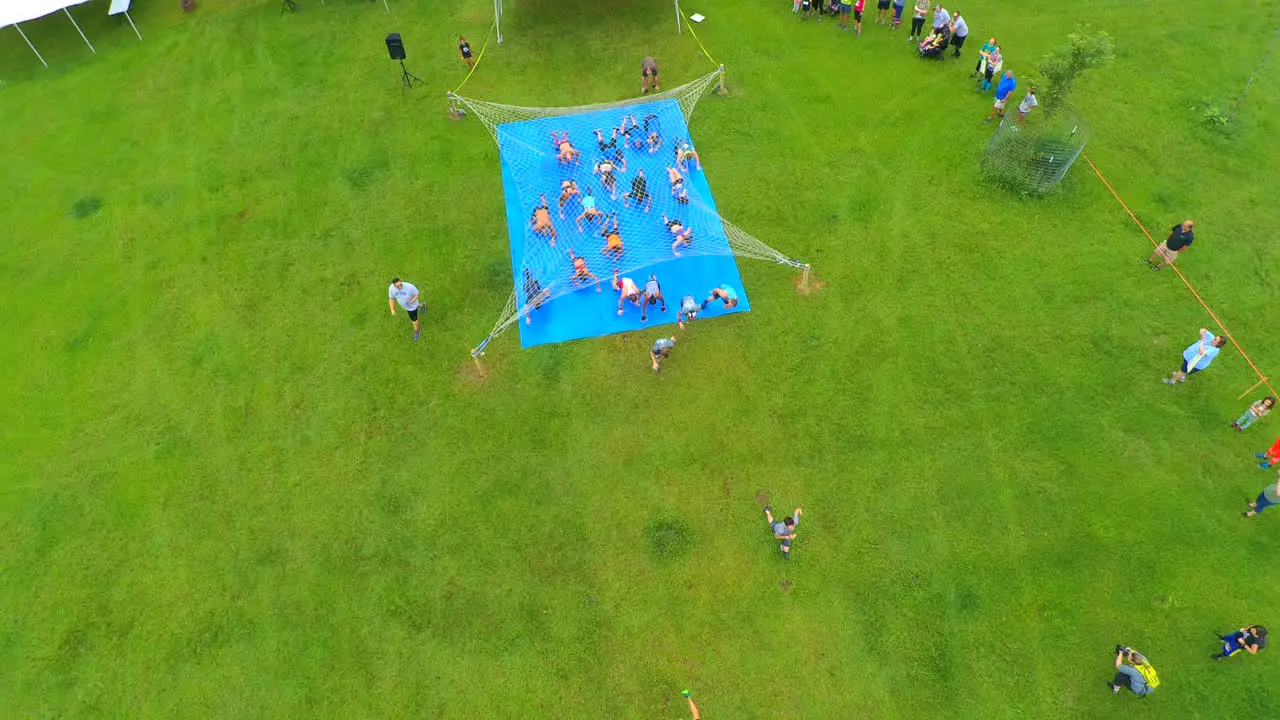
(234, 487)
